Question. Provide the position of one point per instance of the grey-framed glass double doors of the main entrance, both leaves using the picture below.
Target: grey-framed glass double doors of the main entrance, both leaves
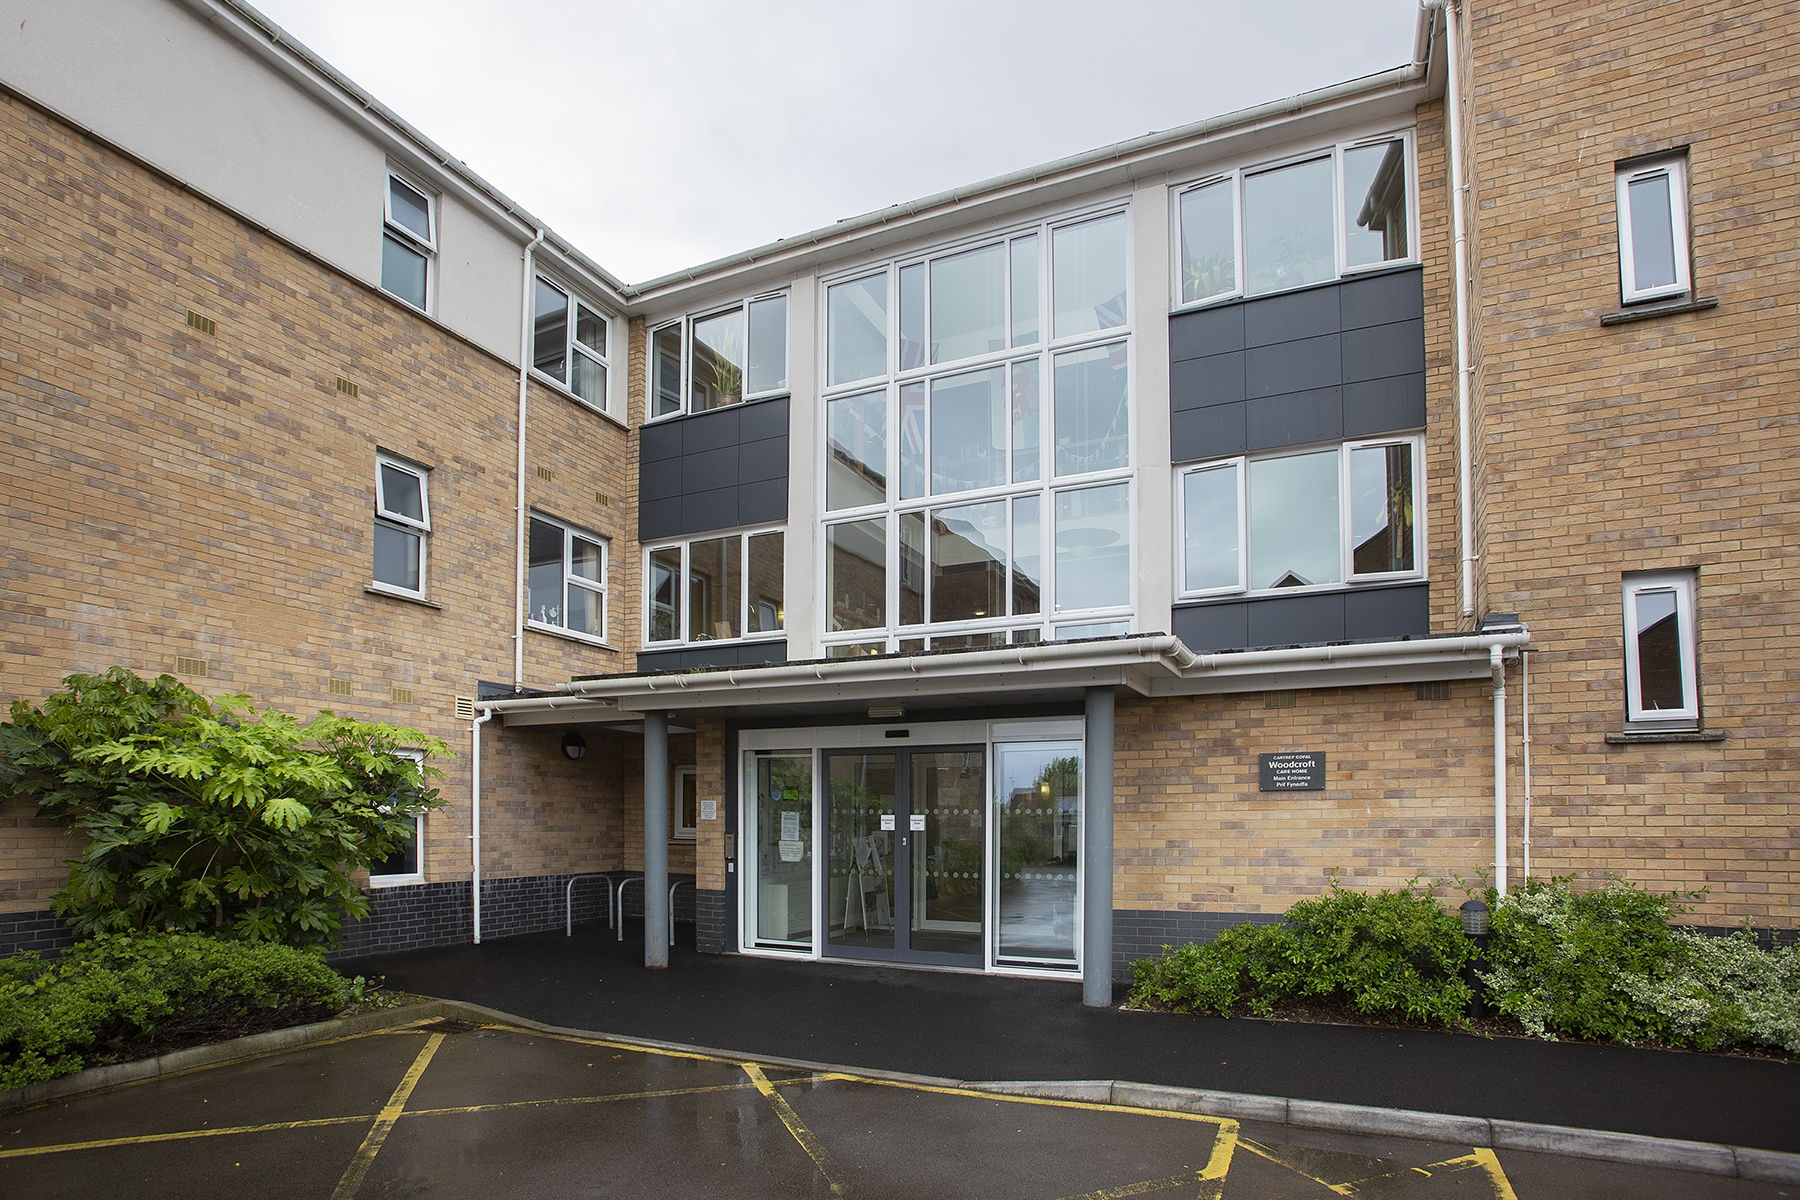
(904, 875)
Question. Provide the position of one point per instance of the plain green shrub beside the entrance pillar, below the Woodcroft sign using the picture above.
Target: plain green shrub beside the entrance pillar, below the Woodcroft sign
(1394, 954)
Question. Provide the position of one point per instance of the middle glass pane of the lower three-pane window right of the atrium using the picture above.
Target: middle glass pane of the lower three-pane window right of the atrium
(1293, 521)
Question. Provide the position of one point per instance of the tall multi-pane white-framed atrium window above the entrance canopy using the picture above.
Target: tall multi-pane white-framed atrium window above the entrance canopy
(978, 443)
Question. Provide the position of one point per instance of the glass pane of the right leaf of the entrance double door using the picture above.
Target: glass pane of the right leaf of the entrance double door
(946, 855)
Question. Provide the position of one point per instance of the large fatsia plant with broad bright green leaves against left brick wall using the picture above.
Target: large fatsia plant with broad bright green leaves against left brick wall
(210, 816)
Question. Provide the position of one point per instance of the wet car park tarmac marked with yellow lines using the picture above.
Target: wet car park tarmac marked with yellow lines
(469, 1111)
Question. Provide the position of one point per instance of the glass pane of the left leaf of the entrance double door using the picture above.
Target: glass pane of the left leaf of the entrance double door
(861, 870)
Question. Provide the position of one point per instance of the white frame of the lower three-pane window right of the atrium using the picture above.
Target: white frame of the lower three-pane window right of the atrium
(1345, 528)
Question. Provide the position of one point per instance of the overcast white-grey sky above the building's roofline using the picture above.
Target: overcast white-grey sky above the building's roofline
(661, 134)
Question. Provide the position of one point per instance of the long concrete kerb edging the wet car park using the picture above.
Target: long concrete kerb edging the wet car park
(1554, 1140)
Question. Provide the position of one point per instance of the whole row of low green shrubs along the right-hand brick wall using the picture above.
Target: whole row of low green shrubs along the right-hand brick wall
(1599, 965)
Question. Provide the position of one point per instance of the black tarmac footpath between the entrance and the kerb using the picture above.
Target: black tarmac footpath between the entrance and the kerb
(989, 1028)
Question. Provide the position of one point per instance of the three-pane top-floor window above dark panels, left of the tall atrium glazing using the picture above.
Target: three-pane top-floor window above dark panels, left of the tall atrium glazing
(721, 359)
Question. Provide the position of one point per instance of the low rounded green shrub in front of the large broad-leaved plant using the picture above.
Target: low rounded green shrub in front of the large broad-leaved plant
(121, 996)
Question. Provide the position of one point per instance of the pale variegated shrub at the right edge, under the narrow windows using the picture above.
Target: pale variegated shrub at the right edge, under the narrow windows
(1608, 965)
